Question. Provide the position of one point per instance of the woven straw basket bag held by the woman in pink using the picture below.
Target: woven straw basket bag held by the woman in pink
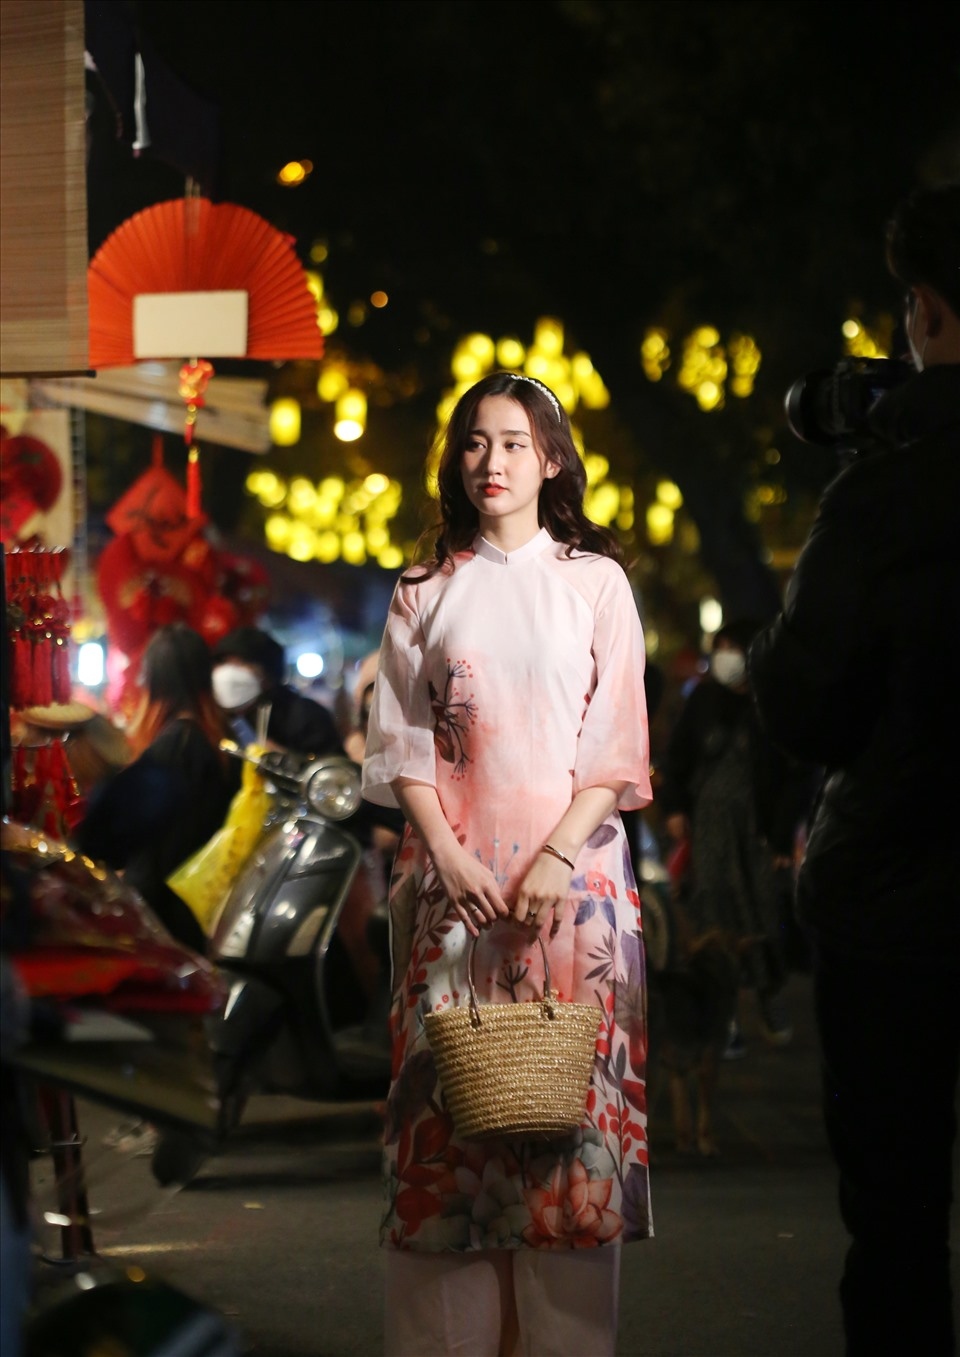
(515, 1070)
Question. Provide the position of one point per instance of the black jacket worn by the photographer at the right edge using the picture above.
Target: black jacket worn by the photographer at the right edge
(860, 674)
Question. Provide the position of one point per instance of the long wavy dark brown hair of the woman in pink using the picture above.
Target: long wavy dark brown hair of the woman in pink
(561, 504)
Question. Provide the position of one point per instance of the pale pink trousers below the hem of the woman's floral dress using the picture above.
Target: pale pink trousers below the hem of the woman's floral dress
(503, 1303)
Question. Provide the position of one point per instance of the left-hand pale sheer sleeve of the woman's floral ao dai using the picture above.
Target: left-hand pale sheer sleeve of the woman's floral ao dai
(400, 736)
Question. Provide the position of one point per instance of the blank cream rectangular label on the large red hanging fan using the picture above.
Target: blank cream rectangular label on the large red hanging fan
(191, 325)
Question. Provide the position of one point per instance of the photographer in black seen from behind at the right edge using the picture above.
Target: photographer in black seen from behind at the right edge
(859, 674)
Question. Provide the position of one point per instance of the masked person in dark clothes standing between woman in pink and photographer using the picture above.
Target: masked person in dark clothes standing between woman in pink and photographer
(737, 801)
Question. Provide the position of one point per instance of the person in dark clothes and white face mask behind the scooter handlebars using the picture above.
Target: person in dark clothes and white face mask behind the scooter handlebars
(249, 670)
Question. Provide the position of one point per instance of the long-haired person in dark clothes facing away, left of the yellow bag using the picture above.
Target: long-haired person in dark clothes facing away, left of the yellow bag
(176, 795)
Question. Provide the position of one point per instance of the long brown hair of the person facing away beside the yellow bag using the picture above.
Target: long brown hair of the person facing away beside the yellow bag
(177, 683)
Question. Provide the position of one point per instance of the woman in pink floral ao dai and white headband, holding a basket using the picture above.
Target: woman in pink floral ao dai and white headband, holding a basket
(509, 724)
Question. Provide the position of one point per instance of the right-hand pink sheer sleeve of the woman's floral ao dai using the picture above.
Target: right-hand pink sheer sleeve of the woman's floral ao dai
(614, 740)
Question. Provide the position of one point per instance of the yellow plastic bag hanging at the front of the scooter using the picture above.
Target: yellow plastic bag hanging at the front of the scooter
(204, 880)
